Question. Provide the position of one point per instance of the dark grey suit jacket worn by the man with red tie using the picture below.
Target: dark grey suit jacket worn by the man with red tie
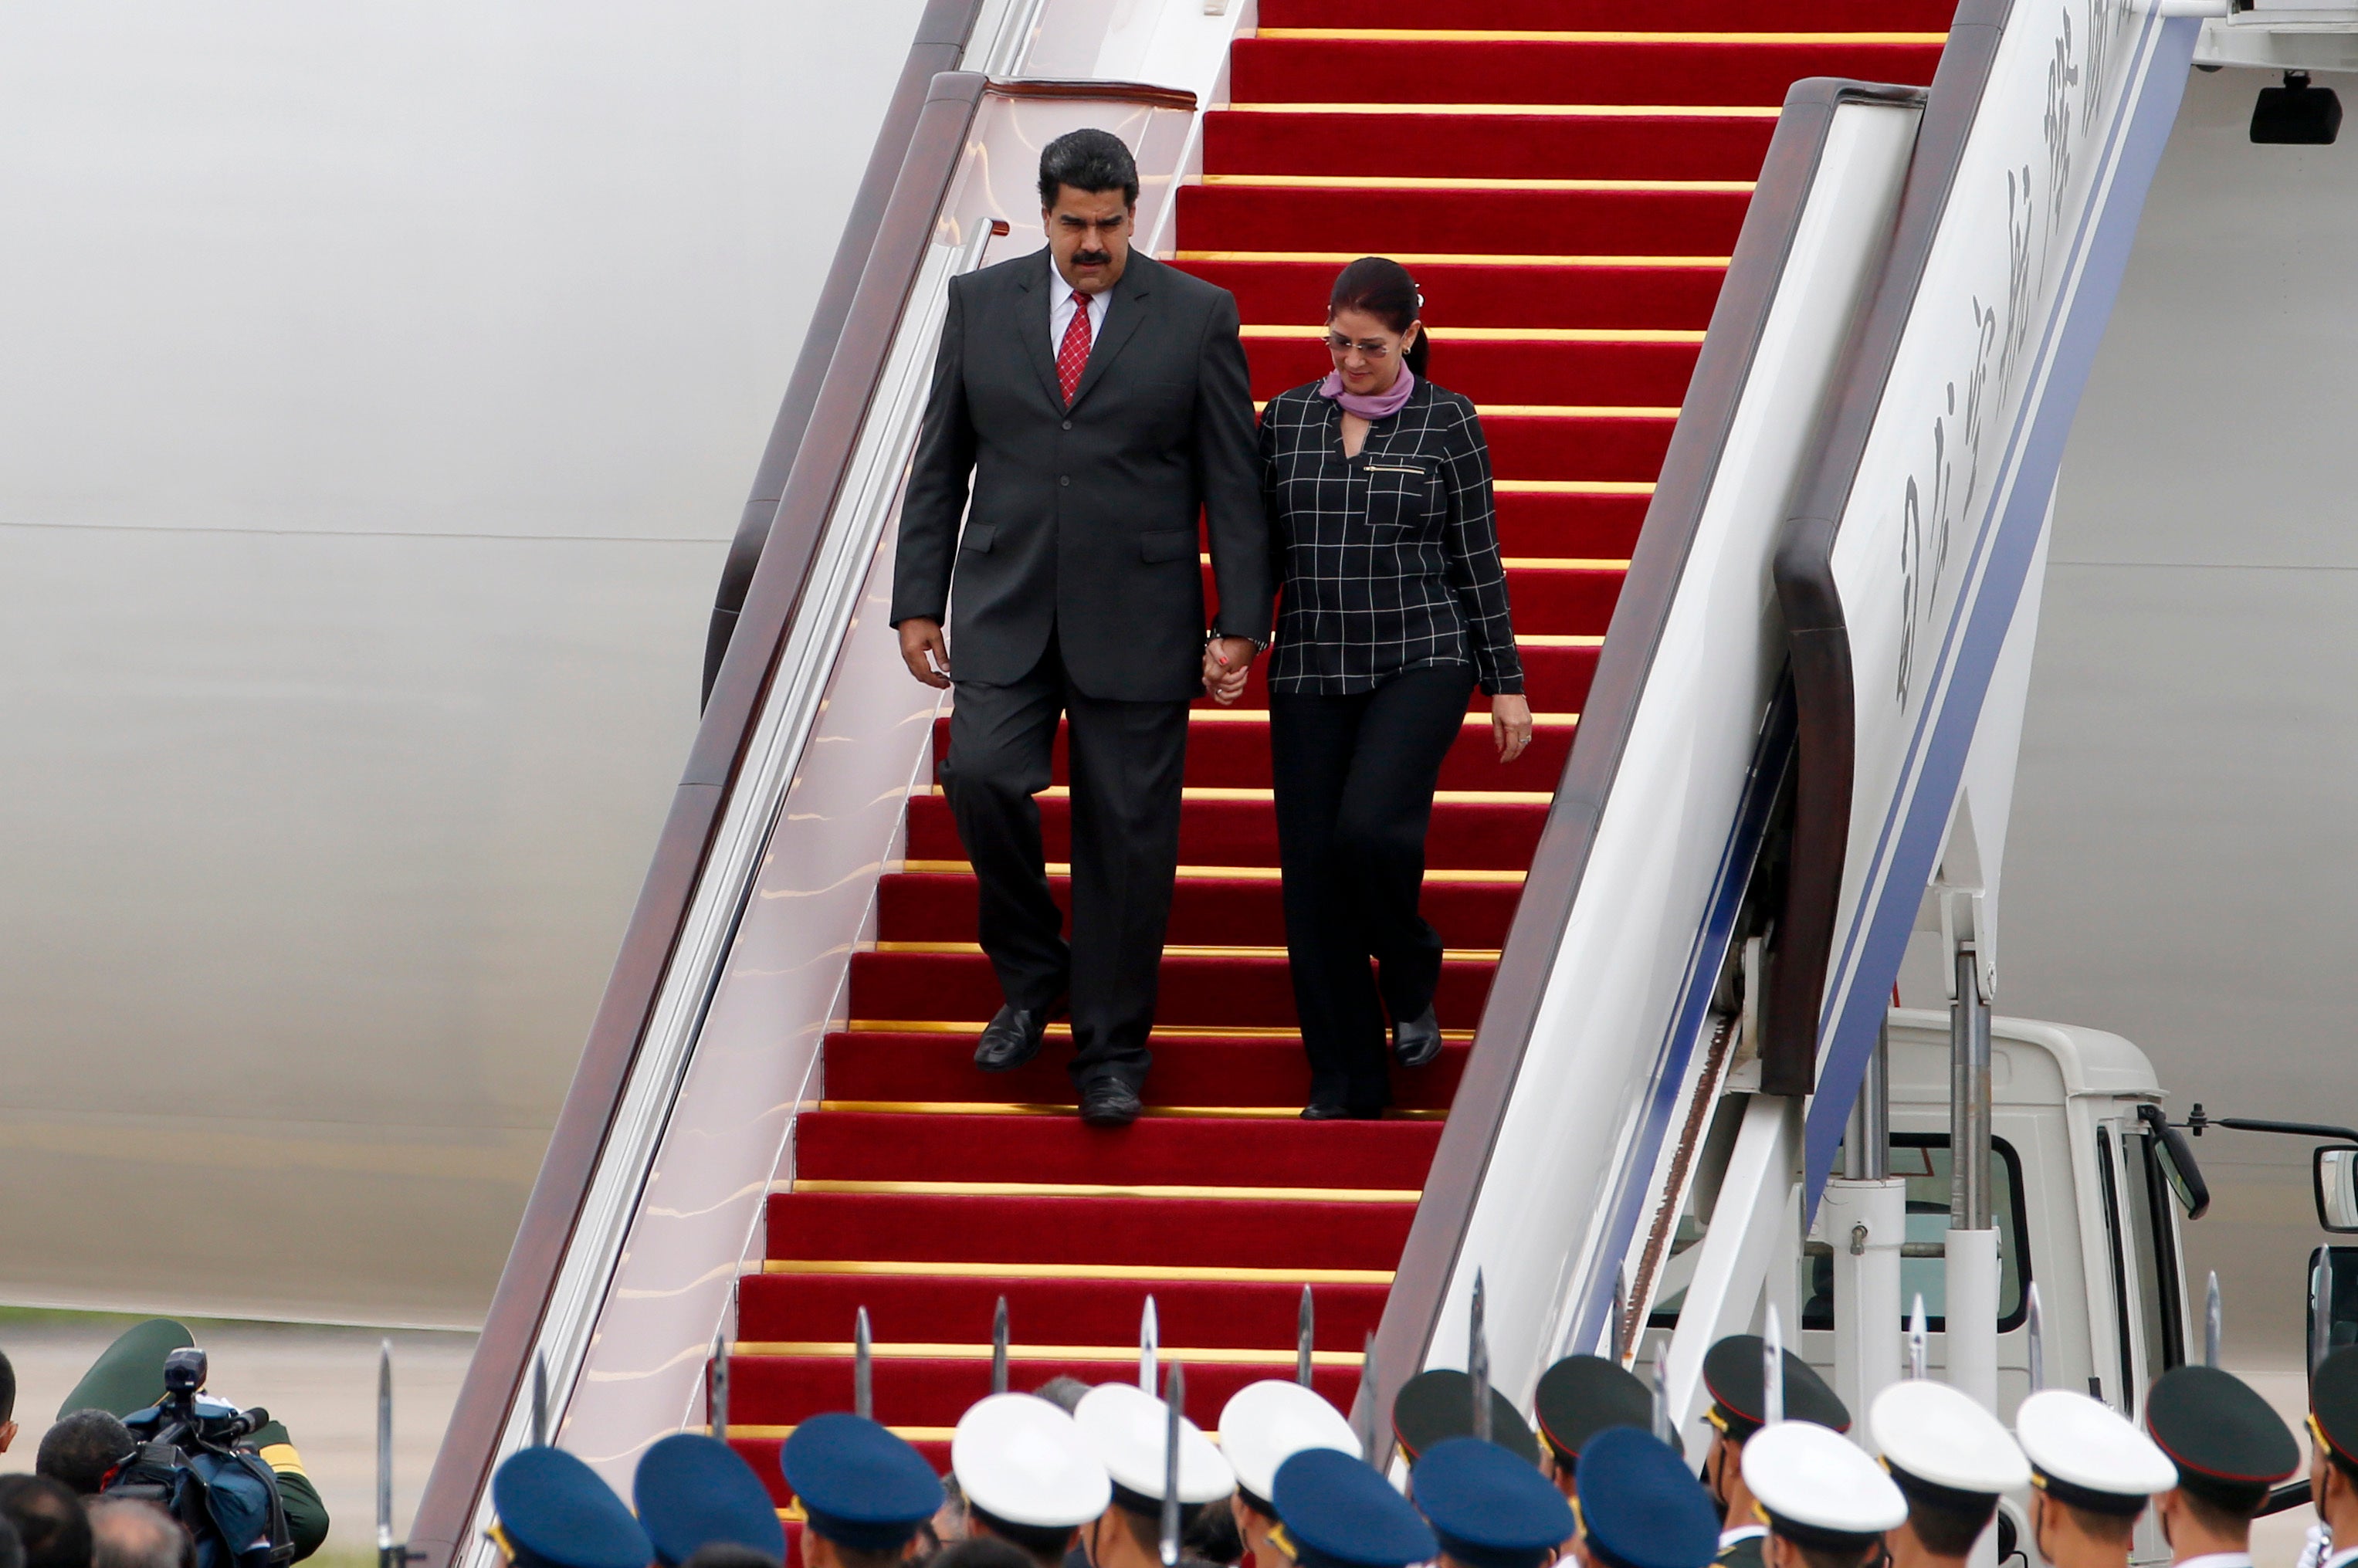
(1084, 518)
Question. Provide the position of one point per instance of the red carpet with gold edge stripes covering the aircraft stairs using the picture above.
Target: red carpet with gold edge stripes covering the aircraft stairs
(1567, 192)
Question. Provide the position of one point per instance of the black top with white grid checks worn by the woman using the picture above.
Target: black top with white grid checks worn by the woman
(1388, 560)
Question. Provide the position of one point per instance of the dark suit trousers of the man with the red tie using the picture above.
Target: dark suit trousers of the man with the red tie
(1126, 770)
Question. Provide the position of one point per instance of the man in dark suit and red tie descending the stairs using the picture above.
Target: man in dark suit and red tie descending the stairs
(1098, 402)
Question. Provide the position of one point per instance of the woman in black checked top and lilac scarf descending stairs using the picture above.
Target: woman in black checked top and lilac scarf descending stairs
(1395, 607)
